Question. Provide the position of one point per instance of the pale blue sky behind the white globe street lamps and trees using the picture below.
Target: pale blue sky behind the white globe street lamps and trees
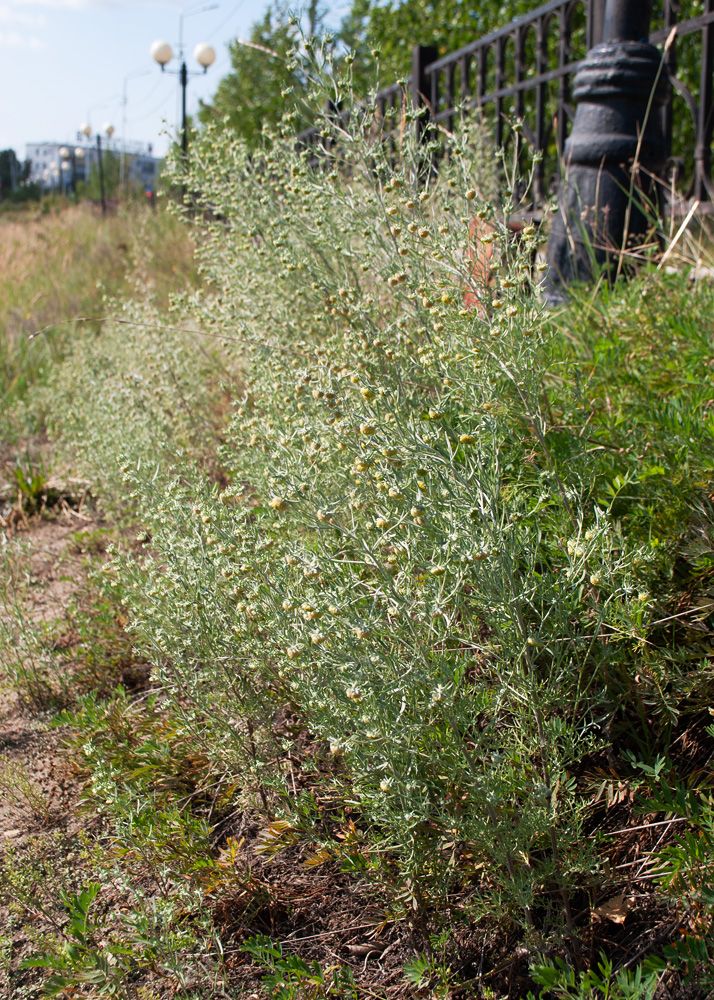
(66, 62)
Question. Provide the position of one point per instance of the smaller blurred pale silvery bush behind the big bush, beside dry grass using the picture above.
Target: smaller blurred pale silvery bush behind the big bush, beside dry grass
(142, 389)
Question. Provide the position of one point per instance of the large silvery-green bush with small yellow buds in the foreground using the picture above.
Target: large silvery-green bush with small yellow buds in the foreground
(399, 554)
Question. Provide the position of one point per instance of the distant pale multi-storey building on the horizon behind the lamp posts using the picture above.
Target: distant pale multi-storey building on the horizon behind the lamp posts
(140, 168)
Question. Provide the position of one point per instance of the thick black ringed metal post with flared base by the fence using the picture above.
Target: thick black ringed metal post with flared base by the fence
(620, 89)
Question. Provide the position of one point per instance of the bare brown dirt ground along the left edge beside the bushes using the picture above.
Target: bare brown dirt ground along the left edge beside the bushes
(40, 823)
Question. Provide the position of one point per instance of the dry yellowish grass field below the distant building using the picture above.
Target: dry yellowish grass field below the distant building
(57, 267)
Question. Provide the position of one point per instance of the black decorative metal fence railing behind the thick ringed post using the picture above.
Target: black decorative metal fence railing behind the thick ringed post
(524, 71)
